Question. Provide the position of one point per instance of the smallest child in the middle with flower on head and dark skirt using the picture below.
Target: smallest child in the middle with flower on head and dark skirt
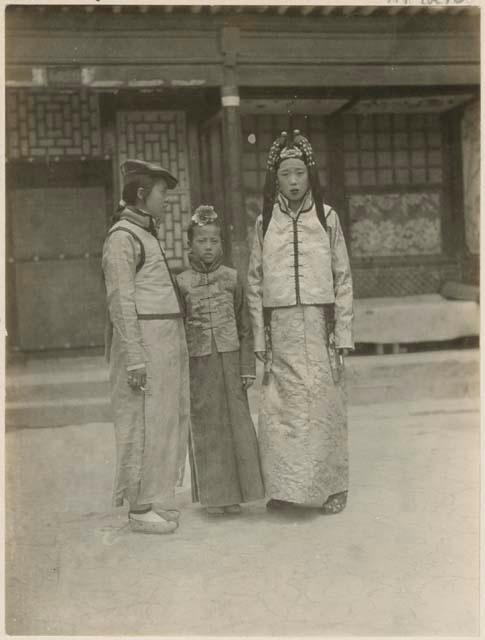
(223, 445)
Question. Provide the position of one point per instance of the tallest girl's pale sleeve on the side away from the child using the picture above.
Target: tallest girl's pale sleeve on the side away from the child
(342, 282)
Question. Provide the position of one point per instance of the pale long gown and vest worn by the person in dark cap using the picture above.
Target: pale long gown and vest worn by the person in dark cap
(151, 428)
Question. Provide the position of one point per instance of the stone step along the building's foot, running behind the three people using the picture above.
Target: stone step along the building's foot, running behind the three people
(49, 394)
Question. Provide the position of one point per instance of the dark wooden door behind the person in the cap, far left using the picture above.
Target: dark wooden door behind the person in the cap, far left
(57, 224)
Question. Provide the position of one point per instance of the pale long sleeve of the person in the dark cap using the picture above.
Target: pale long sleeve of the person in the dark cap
(120, 257)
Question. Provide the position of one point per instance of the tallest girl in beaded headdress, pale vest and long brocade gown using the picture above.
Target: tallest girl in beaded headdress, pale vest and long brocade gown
(300, 300)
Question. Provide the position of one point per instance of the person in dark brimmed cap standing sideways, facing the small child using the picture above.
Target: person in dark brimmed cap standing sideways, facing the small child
(148, 354)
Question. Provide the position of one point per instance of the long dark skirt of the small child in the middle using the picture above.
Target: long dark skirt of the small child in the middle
(223, 445)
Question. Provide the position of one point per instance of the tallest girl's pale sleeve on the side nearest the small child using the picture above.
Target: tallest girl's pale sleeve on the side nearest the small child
(255, 287)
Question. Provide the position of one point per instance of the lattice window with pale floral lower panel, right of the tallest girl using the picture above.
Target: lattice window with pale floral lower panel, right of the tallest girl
(393, 174)
